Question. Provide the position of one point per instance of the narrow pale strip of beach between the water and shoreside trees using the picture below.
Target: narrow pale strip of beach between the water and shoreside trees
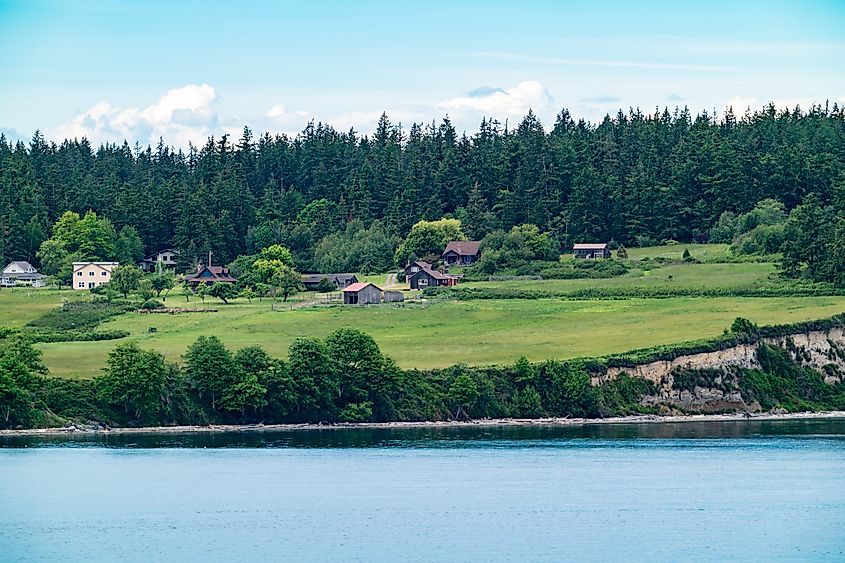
(481, 423)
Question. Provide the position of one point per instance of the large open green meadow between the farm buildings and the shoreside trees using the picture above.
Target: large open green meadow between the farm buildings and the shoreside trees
(443, 333)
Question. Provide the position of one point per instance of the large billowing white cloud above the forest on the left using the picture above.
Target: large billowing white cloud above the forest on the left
(181, 115)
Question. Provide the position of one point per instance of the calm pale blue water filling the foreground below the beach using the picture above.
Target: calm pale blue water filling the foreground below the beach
(710, 491)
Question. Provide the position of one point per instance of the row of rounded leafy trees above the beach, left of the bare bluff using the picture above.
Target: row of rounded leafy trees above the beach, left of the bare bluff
(343, 377)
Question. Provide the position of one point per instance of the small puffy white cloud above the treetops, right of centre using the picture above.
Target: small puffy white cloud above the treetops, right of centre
(507, 102)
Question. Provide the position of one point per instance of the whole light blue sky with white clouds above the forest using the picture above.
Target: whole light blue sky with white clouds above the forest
(182, 70)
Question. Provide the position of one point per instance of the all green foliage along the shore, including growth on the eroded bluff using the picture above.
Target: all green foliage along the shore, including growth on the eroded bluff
(345, 377)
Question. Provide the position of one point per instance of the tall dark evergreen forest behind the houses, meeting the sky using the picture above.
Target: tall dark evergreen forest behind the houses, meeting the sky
(635, 178)
